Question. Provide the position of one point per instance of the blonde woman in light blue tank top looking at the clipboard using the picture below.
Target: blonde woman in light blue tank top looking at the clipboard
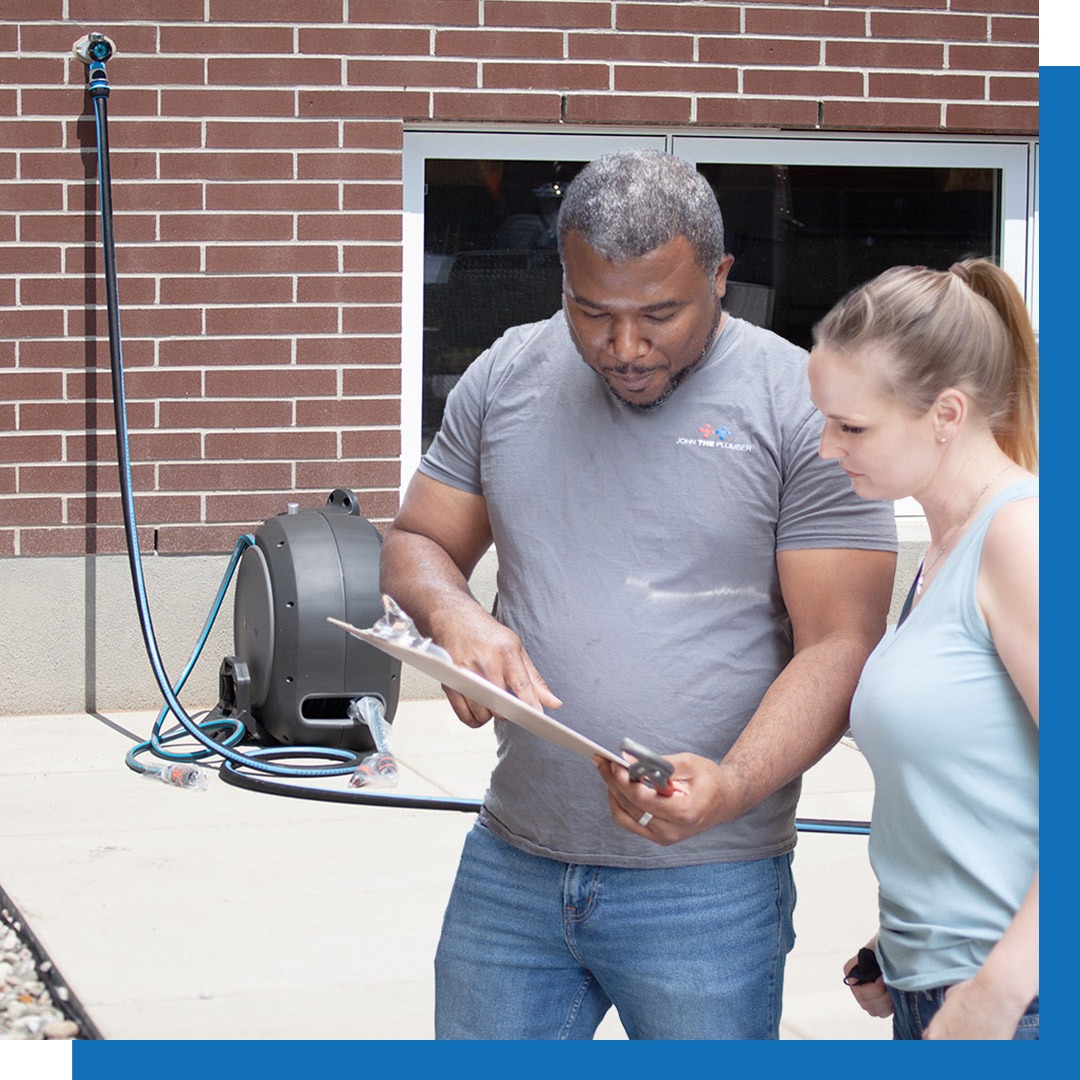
(928, 383)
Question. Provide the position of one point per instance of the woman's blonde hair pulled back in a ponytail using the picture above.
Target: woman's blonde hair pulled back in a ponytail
(965, 328)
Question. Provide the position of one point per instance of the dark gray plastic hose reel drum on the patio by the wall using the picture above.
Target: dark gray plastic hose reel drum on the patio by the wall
(294, 676)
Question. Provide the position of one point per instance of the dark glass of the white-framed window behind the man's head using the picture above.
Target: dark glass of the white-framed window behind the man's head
(802, 237)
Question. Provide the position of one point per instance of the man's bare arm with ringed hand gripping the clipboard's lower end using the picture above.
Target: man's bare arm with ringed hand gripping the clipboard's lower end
(839, 602)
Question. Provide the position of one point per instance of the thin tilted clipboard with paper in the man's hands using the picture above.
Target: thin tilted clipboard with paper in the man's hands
(483, 692)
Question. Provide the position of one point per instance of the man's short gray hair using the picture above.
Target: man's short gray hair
(631, 202)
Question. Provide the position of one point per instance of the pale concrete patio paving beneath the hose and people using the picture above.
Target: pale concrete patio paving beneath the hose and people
(232, 914)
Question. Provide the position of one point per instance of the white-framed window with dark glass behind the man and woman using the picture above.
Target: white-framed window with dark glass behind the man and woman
(807, 218)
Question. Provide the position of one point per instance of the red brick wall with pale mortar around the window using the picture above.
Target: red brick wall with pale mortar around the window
(256, 167)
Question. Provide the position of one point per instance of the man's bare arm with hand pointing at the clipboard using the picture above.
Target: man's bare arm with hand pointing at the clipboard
(429, 553)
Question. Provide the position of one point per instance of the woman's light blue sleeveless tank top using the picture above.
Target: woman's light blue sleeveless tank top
(955, 754)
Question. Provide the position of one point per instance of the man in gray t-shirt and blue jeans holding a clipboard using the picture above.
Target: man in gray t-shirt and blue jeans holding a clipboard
(682, 568)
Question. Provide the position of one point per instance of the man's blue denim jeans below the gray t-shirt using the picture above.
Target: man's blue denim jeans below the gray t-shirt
(536, 949)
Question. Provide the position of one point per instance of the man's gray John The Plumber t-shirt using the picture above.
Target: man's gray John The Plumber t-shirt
(637, 556)
